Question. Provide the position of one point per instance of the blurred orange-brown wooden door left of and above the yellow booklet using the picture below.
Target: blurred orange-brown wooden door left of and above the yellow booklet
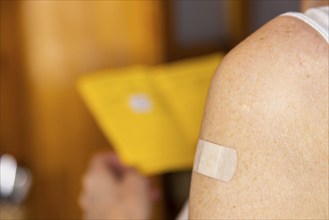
(59, 41)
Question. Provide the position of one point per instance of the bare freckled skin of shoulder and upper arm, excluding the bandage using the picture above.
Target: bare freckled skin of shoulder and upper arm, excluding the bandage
(269, 101)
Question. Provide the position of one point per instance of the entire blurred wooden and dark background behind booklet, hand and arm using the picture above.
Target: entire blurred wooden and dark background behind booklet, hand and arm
(47, 45)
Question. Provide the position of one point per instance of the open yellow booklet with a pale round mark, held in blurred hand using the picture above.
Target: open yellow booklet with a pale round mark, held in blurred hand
(151, 115)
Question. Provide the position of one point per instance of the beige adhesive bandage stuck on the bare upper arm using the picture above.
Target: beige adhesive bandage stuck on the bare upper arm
(215, 161)
